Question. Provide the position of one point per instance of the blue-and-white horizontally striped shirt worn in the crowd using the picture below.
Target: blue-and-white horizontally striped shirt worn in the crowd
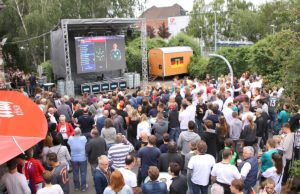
(117, 154)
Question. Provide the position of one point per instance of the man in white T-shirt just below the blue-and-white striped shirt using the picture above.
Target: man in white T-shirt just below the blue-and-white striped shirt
(129, 176)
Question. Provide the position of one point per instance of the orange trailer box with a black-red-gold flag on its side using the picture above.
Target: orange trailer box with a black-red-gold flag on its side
(169, 61)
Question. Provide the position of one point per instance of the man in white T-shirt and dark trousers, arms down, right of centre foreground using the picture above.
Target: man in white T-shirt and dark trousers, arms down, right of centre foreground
(199, 169)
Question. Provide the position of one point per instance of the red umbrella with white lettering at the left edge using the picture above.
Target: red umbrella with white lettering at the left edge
(22, 124)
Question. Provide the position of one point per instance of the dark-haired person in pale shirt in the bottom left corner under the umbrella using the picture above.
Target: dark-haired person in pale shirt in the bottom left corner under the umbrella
(14, 182)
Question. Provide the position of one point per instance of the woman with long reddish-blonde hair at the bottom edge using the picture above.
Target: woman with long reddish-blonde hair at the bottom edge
(117, 185)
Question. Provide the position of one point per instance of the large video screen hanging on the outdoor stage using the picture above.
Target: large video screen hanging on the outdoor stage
(100, 53)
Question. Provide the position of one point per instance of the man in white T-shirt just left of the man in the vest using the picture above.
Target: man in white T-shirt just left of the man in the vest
(224, 173)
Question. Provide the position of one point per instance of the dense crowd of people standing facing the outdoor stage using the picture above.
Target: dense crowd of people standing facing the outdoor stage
(205, 134)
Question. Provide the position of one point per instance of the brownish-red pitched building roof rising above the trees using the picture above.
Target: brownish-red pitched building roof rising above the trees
(163, 12)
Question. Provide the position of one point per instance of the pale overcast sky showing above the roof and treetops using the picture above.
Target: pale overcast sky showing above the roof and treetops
(187, 4)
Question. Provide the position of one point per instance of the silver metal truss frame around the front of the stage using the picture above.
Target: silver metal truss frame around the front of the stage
(66, 25)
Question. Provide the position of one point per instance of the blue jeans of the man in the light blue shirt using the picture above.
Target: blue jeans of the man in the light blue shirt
(82, 168)
